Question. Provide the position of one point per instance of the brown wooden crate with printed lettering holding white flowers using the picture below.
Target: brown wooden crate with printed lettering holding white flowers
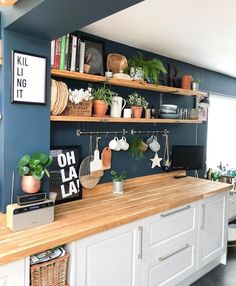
(83, 108)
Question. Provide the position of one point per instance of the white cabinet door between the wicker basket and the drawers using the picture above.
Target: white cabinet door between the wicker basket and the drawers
(109, 258)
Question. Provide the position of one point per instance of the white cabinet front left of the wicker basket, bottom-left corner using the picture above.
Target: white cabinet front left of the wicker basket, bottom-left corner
(15, 273)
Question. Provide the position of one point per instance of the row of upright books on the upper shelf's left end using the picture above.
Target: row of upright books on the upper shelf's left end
(67, 53)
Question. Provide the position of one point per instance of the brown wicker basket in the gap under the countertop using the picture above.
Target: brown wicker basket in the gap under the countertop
(50, 273)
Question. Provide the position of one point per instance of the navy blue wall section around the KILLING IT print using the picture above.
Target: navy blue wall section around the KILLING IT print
(25, 128)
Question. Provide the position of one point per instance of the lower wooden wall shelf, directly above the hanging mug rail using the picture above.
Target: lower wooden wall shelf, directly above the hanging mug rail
(120, 120)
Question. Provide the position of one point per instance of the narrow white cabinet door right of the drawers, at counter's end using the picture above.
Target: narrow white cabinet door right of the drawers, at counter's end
(213, 228)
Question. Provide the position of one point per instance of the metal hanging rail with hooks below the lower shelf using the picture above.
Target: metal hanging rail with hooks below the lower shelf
(122, 132)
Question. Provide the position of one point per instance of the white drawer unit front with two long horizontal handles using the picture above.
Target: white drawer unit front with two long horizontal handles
(170, 246)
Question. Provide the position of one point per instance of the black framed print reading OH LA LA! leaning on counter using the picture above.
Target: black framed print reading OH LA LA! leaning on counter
(64, 178)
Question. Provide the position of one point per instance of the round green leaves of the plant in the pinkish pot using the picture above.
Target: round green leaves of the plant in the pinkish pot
(34, 165)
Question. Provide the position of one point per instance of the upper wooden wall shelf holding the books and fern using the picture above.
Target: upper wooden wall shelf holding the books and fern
(126, 83)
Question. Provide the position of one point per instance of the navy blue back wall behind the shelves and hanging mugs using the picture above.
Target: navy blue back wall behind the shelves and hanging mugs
(65, 133)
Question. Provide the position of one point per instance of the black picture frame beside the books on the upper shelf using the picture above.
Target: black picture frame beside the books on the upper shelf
(96, 49)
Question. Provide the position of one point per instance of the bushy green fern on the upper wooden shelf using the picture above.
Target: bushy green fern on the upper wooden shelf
(151, 68)
